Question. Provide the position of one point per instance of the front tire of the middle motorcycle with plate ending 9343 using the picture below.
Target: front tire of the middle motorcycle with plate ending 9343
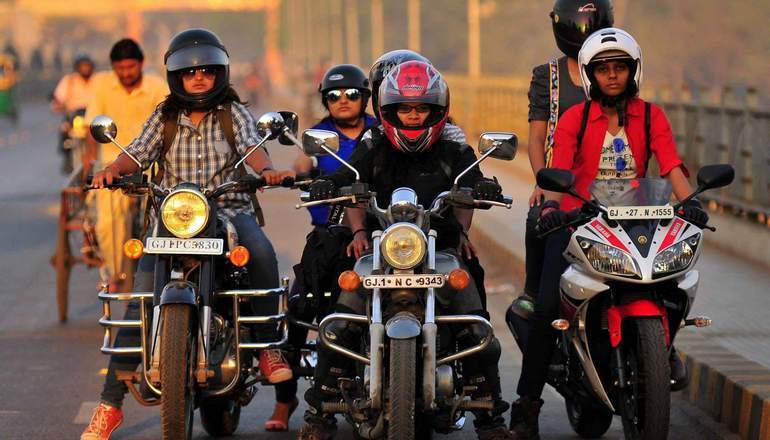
(401, 388)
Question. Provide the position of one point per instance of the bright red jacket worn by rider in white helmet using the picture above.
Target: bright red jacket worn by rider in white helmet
(583, 161)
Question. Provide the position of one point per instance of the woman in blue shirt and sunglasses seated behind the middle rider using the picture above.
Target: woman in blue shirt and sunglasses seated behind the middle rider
(345, 94)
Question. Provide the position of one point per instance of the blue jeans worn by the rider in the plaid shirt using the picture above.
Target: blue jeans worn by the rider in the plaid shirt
(263, 274)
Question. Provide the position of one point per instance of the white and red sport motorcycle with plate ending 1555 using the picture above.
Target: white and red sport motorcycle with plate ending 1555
(630, 285)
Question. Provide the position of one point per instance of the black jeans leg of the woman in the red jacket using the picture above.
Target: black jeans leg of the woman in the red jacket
(542, 337)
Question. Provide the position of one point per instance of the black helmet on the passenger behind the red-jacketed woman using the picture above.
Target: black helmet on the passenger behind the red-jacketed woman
(574, 20)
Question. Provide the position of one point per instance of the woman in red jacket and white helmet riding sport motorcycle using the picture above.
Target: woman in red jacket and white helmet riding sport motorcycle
(604, 138)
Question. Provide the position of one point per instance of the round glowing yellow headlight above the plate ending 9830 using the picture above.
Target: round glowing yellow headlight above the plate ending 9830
(185, 213)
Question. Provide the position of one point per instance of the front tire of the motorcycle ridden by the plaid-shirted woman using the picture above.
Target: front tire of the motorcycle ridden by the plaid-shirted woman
(176, 360)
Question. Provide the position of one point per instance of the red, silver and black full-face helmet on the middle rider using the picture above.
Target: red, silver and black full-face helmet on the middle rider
(414, 82)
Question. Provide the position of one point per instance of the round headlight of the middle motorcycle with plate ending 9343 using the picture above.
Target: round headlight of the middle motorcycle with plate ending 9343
(403, 246)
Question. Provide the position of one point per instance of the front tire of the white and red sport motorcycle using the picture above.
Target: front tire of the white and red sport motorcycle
(645, 403)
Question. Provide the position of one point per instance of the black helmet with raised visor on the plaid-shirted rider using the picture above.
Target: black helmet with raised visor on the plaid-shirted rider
(196, 48)
